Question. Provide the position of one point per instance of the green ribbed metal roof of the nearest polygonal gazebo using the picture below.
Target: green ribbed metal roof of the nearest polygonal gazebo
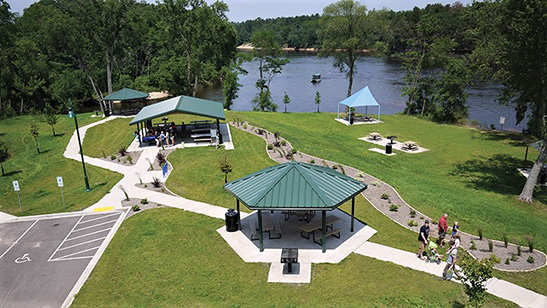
(295, 185)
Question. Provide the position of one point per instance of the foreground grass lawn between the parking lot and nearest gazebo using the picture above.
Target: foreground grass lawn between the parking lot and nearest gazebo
(172, 258)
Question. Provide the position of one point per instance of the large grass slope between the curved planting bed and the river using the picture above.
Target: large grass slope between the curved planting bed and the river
(467, 173)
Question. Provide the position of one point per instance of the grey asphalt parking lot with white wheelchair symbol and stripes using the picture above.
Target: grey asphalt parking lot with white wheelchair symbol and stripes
(42, 259)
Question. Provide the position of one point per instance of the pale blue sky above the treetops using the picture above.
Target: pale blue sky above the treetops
(250, 9)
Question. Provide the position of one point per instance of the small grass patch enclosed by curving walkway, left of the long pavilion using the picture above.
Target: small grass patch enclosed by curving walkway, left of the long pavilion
(108, 138)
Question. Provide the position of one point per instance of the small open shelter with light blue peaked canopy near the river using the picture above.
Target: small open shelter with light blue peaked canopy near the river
(362, 98)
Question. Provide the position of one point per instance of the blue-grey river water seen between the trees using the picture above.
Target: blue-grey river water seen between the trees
(384, 79)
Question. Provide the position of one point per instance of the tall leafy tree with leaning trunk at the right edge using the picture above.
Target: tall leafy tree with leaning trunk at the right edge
(511, 48)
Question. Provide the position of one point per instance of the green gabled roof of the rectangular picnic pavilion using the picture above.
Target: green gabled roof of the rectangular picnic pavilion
(181, 104)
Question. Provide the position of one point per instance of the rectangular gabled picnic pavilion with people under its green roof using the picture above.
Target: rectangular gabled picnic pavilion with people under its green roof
(195, 131)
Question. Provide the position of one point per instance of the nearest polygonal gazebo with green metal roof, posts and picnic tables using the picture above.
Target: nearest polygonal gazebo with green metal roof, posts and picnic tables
(296, 188)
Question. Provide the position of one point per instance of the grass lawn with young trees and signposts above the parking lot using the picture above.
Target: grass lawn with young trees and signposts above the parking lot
(36, 173)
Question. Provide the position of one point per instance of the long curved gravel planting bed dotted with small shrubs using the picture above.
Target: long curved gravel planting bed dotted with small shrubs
(385, 199)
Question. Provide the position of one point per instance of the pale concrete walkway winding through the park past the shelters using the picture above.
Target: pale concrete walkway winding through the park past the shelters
(503, 289)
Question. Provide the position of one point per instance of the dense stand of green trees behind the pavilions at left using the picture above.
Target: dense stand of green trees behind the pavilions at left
(86, 49)
